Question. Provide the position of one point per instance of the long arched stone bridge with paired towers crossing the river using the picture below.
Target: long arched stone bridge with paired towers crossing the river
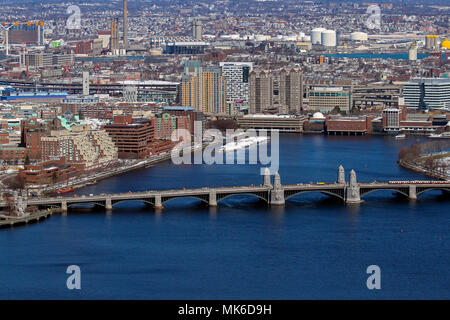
(273, 193)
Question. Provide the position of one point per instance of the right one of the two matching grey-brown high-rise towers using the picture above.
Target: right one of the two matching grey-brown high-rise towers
(291, 90)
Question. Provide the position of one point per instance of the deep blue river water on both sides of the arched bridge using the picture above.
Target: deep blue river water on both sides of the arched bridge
(314, 247)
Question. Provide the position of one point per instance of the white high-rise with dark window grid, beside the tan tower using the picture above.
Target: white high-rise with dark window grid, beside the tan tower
(237, 75)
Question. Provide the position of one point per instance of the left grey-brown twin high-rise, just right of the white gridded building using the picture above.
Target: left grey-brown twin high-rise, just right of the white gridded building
(261, 91)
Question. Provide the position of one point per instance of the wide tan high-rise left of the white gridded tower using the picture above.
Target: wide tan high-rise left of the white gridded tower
(205, 91)
